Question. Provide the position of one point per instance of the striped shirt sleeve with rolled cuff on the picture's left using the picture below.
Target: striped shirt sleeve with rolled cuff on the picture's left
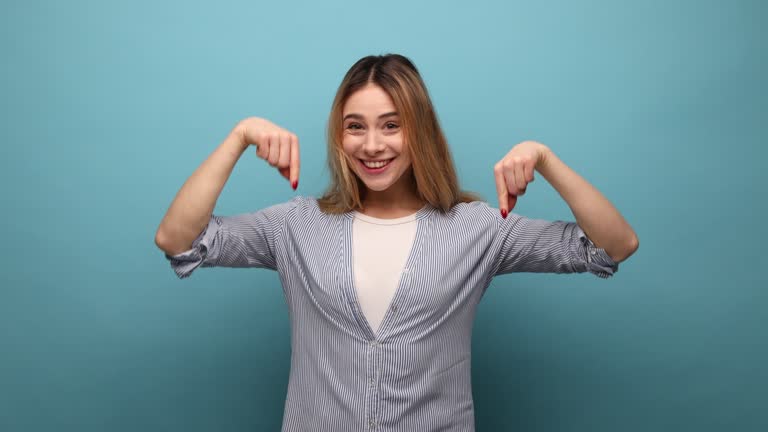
(243, 240)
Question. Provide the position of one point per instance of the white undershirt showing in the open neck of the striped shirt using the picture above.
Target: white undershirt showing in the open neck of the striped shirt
(380, 249)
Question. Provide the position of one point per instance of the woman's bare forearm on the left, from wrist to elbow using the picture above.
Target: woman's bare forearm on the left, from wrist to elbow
(193, 205)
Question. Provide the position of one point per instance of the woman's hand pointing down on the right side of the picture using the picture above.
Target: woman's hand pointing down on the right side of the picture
(515, 171)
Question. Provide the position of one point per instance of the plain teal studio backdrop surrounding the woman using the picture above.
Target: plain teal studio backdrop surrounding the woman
(107, 107)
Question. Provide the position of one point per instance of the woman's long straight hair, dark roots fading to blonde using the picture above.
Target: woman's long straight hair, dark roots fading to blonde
(433, 171)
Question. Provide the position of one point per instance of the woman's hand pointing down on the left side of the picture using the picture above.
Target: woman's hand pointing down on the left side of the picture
(274, 144)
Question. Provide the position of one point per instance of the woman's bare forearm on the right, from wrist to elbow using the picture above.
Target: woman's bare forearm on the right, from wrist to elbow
(599, 219)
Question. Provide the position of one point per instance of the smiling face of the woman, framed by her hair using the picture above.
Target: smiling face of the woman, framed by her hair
(373, 138)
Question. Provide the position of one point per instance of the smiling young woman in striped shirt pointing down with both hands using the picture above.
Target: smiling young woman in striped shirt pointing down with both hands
(383, 274)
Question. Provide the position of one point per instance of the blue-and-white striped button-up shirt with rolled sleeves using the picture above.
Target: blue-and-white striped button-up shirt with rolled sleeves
(414, 373)
